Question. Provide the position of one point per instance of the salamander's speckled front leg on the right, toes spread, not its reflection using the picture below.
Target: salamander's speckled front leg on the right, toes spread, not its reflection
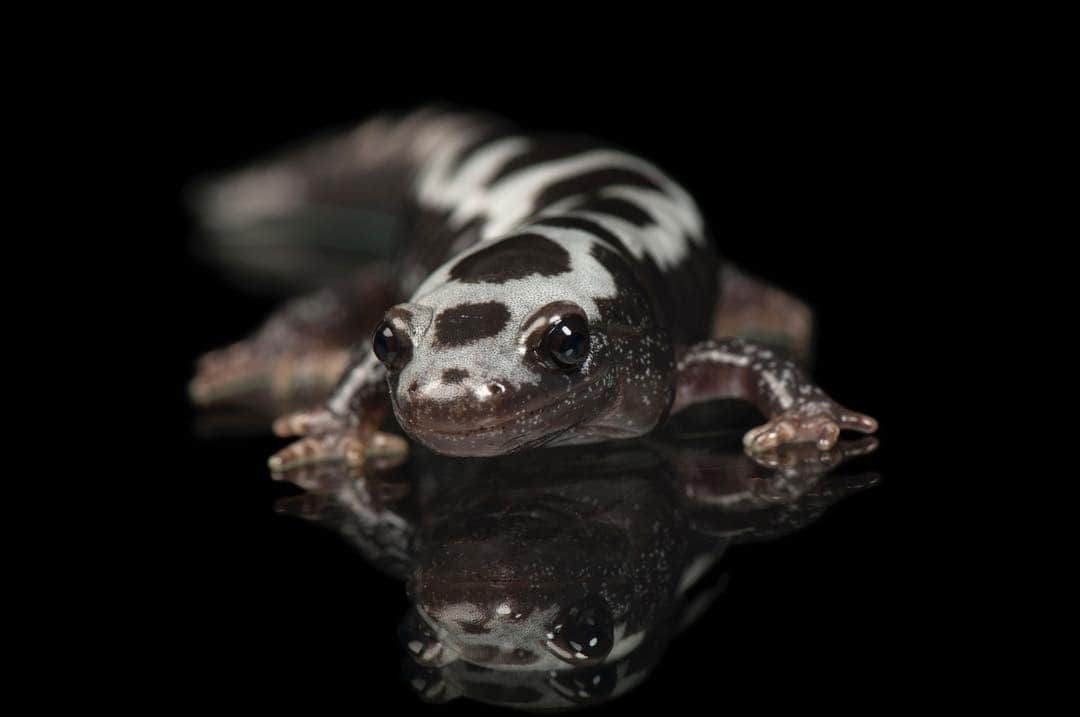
(799, 411)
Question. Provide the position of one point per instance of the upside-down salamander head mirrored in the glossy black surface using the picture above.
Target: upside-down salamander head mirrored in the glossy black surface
(519, 587)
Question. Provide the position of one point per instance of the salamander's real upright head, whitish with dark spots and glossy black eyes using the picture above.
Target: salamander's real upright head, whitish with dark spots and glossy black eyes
(517, 344)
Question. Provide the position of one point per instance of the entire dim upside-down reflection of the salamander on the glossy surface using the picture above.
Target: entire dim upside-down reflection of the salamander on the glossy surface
(553, 579)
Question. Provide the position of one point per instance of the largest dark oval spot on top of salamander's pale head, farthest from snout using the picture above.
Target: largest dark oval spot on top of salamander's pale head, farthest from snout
(515, 258)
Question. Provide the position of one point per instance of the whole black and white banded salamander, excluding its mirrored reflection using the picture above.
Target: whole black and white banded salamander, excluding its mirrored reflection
(506, 236)
